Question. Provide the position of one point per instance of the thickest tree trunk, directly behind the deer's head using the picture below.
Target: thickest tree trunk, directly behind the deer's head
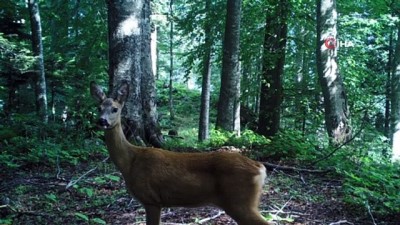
(130, 59)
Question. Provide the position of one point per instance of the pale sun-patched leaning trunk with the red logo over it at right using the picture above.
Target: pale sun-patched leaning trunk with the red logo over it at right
(337, 115)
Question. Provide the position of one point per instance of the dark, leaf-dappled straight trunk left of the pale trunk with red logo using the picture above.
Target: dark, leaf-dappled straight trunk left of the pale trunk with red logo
(271, 92)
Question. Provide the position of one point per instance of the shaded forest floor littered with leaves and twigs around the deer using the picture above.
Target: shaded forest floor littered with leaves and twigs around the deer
(94, 193)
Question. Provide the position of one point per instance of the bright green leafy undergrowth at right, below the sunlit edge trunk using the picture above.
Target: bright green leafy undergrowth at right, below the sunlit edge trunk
(370, 180)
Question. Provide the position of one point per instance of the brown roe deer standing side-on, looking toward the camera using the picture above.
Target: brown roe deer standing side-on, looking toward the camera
(158, 178)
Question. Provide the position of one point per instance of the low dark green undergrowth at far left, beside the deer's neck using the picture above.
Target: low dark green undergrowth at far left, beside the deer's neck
(28, 142)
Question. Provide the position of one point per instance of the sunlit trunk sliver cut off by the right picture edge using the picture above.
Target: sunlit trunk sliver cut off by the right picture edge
(395, 101)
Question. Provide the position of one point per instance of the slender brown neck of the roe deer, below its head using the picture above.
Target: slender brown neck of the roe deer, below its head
(119, 148)
